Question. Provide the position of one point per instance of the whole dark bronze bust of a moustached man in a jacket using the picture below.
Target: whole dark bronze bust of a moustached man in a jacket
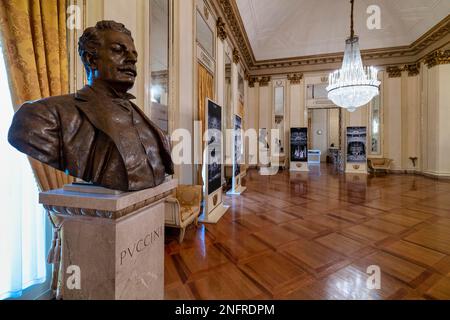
(97, 134)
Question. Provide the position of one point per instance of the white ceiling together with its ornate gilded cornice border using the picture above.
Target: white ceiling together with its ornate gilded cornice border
(286, 36)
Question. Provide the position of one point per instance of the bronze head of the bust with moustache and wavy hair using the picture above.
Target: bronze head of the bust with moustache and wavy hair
(109, 55)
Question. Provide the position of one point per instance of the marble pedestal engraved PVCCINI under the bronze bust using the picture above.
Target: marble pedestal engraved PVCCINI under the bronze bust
(113, 242)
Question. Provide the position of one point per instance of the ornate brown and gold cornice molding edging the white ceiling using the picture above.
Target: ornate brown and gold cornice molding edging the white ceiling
(234, 22)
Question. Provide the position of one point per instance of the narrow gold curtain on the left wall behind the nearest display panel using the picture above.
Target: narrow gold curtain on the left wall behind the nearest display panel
(205, 90)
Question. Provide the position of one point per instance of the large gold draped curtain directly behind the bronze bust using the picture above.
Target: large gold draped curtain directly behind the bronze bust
(34, 40)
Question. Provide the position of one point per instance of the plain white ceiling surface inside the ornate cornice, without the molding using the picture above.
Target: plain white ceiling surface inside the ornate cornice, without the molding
(294, 28)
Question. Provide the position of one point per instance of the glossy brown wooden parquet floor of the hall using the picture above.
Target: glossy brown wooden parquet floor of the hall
(313, 236)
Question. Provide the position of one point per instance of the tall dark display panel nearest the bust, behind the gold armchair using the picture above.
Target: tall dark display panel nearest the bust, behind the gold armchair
(214, 147)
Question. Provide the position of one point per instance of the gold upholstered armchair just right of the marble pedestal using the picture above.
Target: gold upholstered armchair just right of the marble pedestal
(184, 208)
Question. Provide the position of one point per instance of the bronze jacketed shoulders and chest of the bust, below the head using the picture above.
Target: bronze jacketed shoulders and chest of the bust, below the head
(90, 137)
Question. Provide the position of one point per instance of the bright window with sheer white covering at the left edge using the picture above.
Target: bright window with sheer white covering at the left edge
(23, 221)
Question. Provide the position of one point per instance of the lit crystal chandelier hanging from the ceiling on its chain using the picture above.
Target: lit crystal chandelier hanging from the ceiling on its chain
(353, 85)
